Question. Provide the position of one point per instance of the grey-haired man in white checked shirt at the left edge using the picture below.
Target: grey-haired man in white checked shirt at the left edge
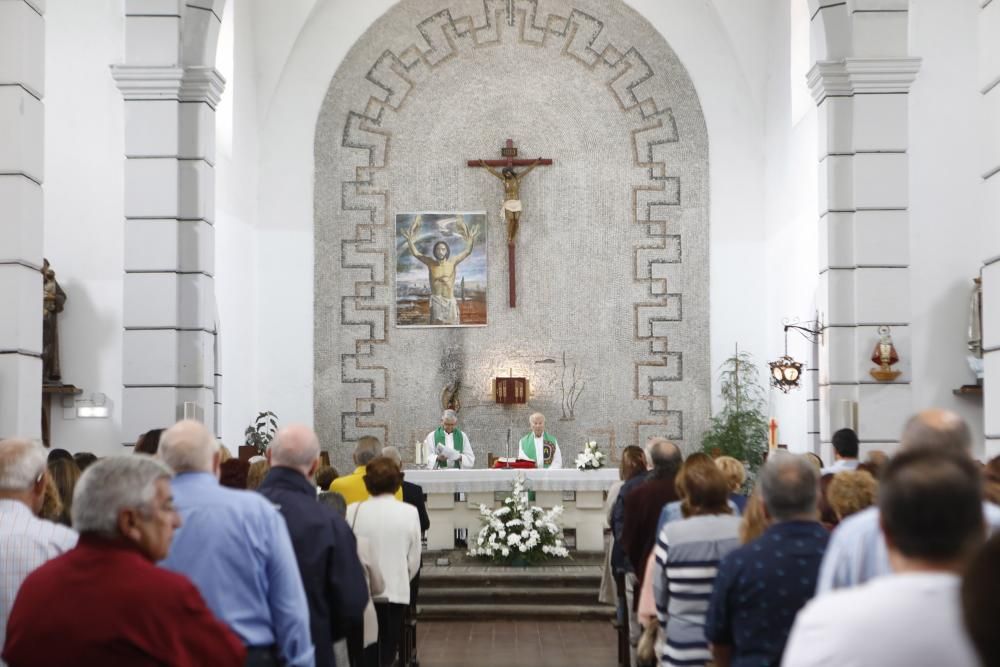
(25, 540)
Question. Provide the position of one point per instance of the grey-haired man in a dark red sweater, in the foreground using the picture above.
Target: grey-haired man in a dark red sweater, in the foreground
(106, 602)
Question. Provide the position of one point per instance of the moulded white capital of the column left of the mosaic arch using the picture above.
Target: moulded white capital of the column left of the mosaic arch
(183, 84)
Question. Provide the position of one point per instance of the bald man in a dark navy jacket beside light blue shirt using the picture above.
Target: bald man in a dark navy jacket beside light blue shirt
(324, 544)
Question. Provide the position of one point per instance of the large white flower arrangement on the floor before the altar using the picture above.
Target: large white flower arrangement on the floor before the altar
(519, 531)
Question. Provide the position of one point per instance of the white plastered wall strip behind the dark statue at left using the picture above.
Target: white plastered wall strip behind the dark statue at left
(84, 234)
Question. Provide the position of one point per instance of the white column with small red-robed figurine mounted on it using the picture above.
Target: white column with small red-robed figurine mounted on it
(864, 245)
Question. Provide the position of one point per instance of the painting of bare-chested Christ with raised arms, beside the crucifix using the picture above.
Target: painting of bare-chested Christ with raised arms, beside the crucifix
(441, 278)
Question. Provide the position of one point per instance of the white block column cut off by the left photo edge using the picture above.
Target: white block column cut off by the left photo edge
(22, 85)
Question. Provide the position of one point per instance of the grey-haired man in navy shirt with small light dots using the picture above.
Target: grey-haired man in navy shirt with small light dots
(761, 586)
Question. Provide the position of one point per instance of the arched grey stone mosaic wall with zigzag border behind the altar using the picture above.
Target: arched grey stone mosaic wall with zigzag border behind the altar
(613, 245)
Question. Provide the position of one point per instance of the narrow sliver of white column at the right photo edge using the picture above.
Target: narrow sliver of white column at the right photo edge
(989, 81)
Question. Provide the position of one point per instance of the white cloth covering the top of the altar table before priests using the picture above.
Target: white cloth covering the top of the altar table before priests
(451, 480)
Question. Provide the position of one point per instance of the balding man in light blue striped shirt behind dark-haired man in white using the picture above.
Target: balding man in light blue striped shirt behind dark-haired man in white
(857, 551)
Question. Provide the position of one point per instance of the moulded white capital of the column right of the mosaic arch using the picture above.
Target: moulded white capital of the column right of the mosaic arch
(850, 76)
